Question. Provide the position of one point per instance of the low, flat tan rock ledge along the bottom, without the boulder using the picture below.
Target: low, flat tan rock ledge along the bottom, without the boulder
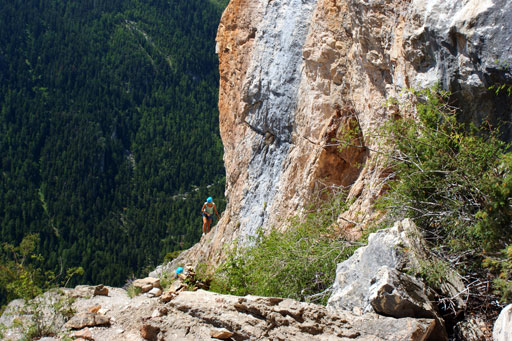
(203, 315)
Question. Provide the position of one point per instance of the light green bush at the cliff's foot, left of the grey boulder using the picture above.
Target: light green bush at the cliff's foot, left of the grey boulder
(299, 263)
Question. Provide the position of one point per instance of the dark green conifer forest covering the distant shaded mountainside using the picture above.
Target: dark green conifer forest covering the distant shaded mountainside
(109, 140)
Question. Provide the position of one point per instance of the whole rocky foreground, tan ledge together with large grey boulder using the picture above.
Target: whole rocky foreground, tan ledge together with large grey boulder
(373, 298)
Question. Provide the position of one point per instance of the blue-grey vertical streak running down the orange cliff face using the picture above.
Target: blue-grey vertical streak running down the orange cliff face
(269, 102)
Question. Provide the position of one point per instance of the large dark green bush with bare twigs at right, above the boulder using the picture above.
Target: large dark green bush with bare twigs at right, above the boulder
(455, 181)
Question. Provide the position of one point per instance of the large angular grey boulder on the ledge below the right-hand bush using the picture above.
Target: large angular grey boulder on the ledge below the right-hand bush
(373, 279)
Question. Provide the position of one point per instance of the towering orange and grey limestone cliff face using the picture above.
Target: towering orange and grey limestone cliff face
(294, 74)
